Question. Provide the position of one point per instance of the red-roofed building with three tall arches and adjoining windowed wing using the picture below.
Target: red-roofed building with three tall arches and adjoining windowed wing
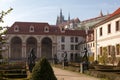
(47, 41)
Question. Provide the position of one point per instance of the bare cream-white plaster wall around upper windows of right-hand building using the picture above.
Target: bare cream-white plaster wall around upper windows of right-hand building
(107, 39)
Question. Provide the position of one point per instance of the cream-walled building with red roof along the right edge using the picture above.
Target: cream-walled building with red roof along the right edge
(107, 37)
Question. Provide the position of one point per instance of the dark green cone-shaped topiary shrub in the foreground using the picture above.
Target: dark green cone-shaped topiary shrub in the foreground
(43, 71)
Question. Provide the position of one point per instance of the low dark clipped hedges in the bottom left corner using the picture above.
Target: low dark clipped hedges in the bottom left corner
(11, 72)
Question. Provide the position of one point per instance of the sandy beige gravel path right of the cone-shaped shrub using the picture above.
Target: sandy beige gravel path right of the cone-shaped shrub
(69, 75)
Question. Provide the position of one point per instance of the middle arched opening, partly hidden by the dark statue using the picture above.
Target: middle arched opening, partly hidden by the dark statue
(31, 43)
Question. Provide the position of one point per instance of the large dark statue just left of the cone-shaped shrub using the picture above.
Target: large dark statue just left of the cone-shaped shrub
(31, 59)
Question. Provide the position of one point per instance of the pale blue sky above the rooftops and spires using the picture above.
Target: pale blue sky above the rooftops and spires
(48, 10)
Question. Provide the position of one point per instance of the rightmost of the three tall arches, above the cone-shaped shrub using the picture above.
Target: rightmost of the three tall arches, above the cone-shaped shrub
(46, 48)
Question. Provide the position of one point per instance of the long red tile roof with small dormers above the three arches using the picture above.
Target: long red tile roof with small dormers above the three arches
(39, 29)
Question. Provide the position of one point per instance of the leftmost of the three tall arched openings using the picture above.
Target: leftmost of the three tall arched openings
(16, 48)
